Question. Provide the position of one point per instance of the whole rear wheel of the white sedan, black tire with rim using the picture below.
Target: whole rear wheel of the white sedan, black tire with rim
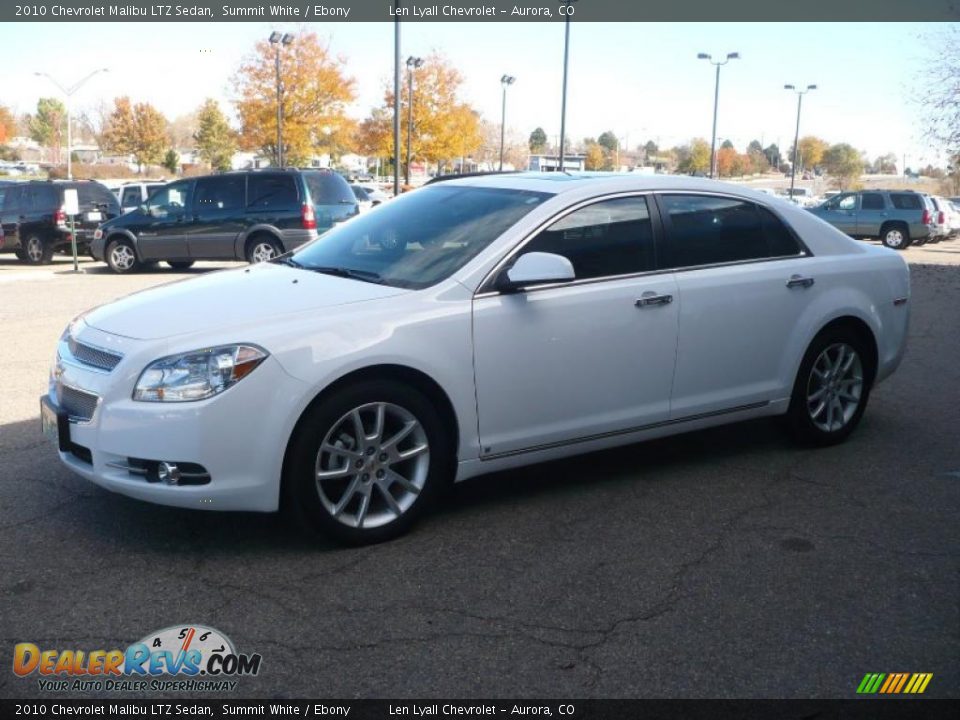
(832, 388)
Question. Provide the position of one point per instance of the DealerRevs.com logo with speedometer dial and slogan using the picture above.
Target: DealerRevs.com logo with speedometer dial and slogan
(180, 658)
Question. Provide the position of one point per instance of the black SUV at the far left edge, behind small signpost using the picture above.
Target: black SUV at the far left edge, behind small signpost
(35, 224)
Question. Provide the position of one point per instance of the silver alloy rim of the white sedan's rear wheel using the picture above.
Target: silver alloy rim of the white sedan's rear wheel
(835, 387)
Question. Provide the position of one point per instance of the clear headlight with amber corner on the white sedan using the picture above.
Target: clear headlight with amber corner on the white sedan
(197, 375)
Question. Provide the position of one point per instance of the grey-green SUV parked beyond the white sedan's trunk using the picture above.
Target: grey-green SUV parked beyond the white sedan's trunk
(897, 217)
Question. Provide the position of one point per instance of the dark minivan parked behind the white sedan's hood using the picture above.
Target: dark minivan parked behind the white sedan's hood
(252, 215)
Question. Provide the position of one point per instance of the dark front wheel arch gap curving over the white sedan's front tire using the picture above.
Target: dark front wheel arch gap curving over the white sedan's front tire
(405, 374)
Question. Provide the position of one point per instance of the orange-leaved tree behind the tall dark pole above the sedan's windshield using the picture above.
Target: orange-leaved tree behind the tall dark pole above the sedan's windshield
(443, 127)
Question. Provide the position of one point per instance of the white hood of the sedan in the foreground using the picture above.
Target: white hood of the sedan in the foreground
(228, 298)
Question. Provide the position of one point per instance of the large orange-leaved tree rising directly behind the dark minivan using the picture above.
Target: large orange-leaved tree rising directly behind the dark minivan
(316, 92)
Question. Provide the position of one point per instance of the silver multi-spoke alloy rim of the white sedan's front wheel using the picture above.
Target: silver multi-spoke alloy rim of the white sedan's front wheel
(372, 465)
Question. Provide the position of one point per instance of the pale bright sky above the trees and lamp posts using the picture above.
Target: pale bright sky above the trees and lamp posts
(641, 80)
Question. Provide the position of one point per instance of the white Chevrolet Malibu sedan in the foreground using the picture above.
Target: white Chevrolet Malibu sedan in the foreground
(476, 325)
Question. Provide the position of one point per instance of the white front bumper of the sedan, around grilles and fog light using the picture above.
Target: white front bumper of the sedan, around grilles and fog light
(238, 437)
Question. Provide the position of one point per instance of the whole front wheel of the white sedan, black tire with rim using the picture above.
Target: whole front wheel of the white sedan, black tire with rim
(352, 505)
